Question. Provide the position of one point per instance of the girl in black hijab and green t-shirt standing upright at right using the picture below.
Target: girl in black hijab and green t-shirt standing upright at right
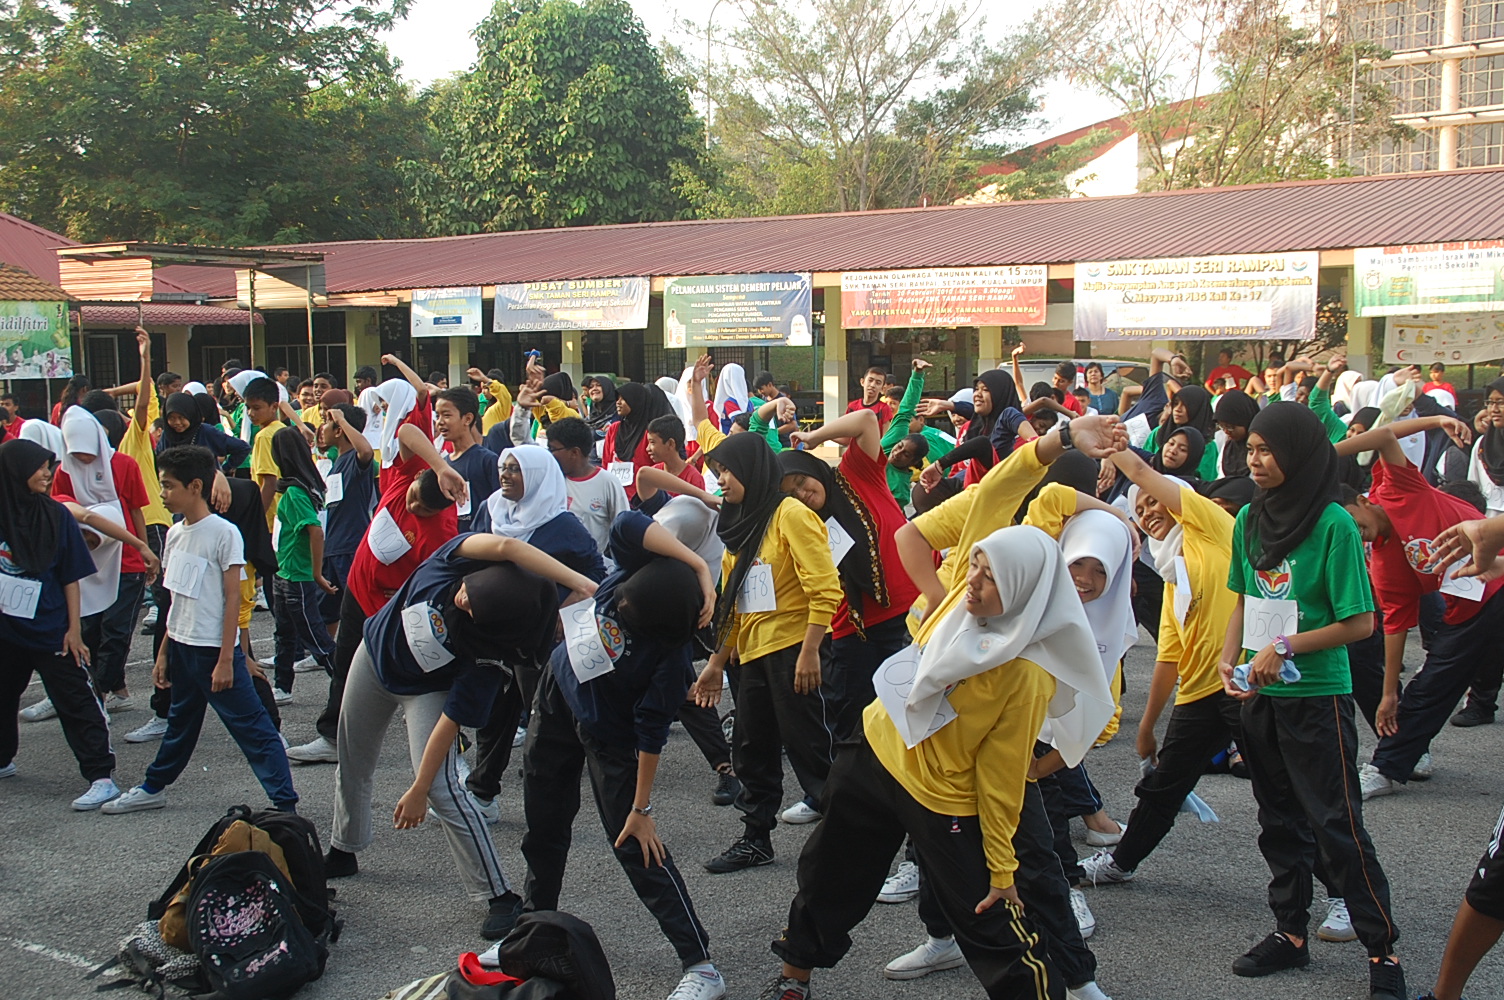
(1297, 562)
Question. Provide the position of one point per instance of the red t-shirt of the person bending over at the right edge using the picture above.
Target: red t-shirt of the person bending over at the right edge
(1419, 514)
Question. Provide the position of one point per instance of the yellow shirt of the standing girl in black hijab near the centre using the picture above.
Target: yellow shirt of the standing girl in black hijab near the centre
(805, 586)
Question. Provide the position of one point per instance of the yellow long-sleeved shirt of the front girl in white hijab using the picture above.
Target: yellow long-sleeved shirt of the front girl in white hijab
(975, 766)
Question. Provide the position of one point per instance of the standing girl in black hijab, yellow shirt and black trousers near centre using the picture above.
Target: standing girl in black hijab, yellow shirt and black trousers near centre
(780, 592)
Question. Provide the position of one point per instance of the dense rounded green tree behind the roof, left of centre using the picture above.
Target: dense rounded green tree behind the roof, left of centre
(569, 118)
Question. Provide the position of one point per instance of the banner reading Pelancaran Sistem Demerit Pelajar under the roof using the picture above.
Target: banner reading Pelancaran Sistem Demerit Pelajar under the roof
(756, 311)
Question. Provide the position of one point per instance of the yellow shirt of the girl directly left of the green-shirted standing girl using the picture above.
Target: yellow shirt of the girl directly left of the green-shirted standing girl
(1196, 647)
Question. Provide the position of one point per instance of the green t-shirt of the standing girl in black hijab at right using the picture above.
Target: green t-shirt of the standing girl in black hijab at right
(1327, 580)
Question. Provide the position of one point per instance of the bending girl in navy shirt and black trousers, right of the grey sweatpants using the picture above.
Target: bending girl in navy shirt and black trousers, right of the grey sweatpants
(617, 726)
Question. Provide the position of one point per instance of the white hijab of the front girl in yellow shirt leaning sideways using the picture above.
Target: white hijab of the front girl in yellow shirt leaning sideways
(1043, 622)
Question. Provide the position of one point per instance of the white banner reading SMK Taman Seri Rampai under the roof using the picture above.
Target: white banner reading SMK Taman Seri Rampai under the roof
(1242, 297)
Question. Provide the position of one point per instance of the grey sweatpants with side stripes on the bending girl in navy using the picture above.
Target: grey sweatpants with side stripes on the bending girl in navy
(365, 715)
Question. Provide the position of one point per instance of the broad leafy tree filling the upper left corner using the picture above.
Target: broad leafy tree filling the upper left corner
(222, 123)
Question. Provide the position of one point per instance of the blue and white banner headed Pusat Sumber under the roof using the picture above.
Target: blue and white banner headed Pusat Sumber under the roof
(572, 305)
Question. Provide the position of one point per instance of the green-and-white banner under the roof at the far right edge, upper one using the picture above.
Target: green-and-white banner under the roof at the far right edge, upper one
(1461, 277)
